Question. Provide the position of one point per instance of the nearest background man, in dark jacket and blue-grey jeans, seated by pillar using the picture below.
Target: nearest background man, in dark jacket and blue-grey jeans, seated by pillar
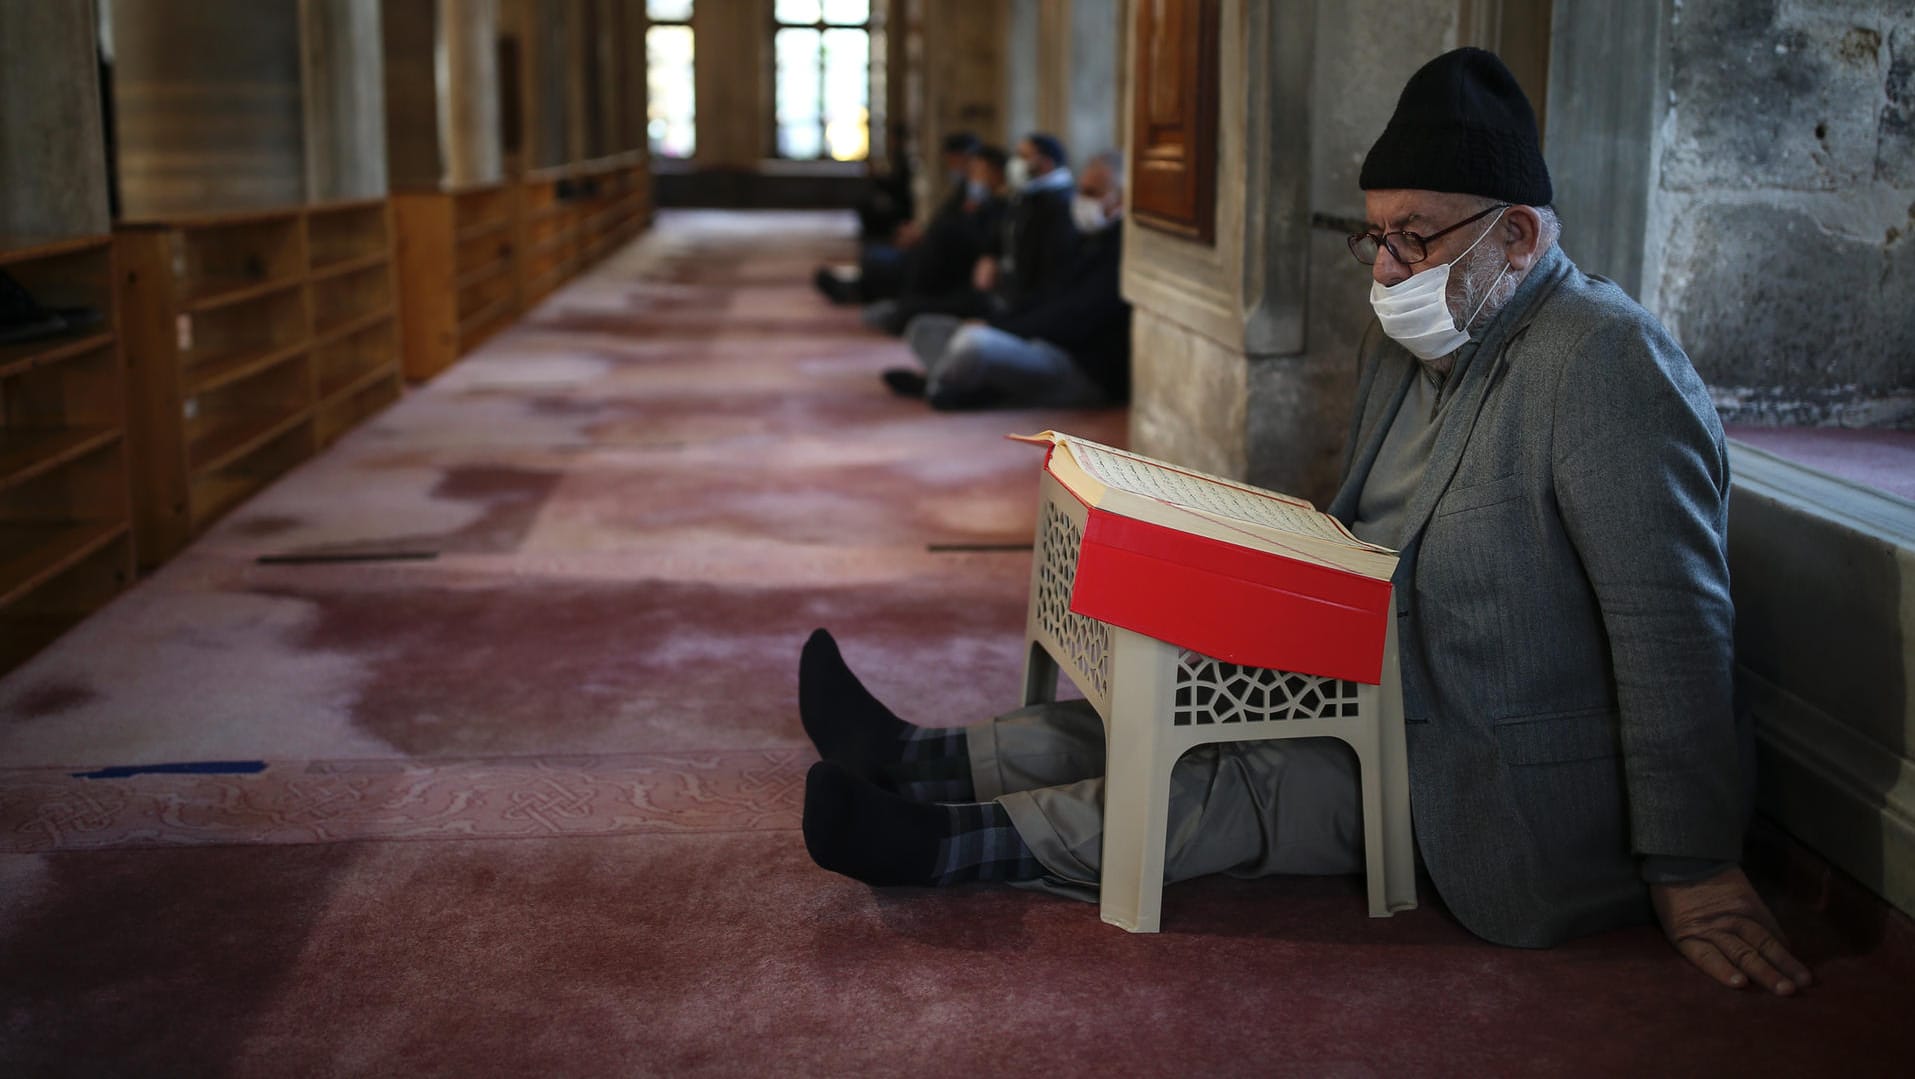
(1070, 350)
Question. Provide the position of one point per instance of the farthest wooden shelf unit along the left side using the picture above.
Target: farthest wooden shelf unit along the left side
(575, 216)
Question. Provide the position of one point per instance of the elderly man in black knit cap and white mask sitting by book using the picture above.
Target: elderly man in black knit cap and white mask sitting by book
(1554, 474)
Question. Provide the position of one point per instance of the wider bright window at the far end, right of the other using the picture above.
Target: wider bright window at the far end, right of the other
(824, 80)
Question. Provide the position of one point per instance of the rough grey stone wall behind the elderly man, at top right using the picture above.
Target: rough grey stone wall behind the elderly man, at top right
(1778, 239)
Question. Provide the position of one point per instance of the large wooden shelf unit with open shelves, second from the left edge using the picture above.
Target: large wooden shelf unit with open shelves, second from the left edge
(252, 342)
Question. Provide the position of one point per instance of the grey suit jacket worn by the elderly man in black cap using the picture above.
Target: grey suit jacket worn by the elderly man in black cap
(1564, 614)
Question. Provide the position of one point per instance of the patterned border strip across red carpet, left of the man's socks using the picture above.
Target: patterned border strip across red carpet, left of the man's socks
(332, 802)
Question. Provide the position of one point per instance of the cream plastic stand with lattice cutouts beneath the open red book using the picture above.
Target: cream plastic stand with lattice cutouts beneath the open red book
(1160, 700)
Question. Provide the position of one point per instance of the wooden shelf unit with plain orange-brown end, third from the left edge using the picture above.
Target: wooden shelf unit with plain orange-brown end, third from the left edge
(459, 271)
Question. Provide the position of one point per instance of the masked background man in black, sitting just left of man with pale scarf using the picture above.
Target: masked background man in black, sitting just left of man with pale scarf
(937, 275)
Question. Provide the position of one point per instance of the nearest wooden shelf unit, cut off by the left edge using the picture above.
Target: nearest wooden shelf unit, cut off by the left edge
(66, 518)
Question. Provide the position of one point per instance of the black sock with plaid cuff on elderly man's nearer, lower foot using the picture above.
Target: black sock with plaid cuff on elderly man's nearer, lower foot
(865, 833)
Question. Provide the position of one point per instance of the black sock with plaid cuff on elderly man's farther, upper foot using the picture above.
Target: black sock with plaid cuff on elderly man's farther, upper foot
(855, 729)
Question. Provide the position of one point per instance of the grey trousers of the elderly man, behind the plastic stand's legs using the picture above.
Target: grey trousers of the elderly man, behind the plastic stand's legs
(1240, 808)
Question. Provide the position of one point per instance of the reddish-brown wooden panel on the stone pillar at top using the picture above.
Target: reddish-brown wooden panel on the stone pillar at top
(1173, 168)
